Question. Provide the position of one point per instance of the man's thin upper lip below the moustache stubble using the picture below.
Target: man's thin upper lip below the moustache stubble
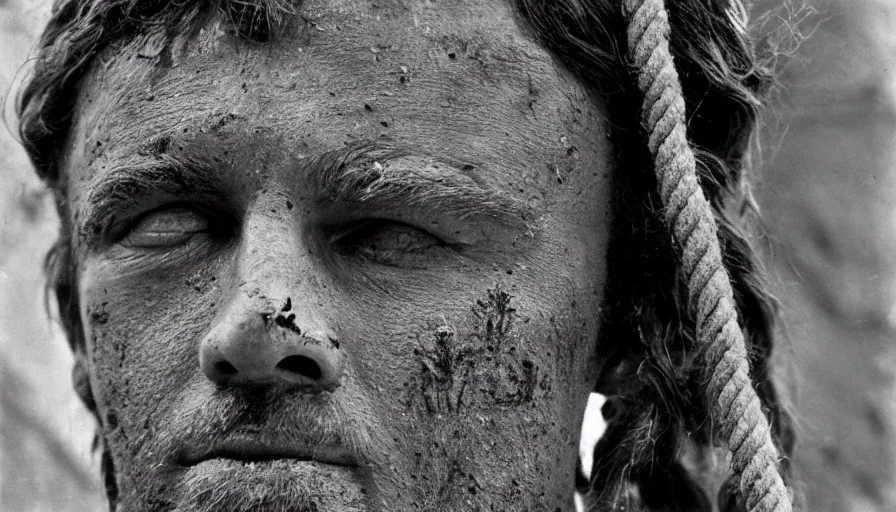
(255, 448)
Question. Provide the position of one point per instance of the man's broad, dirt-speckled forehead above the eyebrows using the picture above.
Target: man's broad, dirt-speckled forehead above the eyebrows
(462, 79)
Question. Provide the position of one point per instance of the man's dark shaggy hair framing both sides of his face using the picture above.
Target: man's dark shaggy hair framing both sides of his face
(663, 407)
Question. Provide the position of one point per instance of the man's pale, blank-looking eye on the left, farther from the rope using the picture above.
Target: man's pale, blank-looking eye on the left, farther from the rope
(166, 228)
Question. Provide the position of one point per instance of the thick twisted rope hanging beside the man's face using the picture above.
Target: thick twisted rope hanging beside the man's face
(736, 408)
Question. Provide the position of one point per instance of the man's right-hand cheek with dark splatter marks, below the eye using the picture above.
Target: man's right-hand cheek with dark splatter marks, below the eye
(488, 342)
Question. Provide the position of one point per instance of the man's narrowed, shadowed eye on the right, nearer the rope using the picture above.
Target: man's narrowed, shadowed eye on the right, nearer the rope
(392, 243)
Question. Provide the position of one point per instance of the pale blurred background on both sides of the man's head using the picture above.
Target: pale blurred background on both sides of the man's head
(827, 190)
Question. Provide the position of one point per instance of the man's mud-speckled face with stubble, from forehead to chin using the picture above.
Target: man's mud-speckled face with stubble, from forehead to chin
(359, 267)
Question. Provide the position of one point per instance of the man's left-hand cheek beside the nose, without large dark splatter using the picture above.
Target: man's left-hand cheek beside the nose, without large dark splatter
(142, 335)
